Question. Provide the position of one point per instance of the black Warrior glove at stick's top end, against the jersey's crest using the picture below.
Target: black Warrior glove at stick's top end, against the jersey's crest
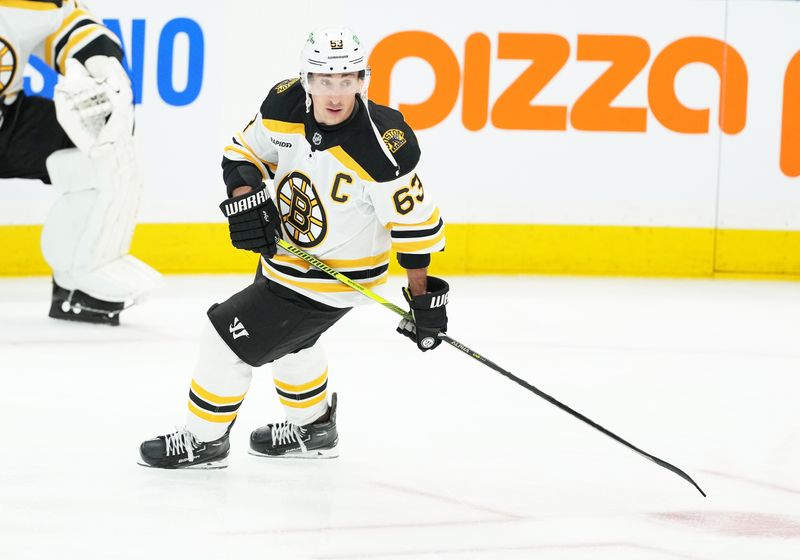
(253, 221)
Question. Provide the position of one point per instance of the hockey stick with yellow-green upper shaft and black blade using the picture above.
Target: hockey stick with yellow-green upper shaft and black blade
(471, 353)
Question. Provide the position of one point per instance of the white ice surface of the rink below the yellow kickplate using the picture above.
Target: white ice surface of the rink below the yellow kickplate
(440, 456)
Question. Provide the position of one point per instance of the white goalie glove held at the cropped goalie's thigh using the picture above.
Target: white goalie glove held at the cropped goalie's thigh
(94, 104)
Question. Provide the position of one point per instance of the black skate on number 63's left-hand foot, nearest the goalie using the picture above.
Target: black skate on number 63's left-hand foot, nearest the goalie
(181, 450)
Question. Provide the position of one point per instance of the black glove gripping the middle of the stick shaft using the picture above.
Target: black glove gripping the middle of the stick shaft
(430, 315)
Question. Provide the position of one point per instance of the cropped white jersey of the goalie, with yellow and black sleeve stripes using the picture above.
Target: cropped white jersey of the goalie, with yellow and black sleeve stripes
(53, 30)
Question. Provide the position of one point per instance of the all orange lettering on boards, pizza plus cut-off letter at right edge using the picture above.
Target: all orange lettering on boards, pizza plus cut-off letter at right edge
(593, 110)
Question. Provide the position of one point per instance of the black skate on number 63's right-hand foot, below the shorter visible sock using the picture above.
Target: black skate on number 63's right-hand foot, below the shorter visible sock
(286, 440)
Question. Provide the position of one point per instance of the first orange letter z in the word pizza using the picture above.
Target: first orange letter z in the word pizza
(513, 110)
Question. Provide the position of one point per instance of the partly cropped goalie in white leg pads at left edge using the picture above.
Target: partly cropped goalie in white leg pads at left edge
(82, 143)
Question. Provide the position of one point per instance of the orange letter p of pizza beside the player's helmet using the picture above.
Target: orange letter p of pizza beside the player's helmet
(435, 52)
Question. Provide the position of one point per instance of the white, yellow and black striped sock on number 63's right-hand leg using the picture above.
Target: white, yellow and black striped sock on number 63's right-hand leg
(301, 380)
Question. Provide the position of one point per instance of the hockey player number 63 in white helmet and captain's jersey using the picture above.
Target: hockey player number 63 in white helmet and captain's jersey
(348, 188)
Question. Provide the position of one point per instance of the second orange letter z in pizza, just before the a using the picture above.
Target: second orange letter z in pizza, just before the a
(592, 110)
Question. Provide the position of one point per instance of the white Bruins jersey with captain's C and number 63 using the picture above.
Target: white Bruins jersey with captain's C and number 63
(339, 196)
